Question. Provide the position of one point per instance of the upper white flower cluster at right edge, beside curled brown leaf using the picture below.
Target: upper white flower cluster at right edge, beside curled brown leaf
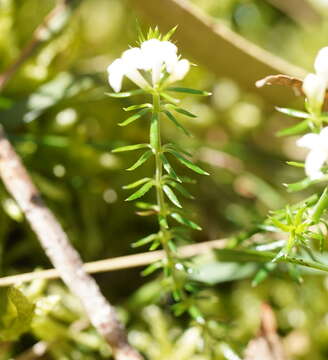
(315, 85)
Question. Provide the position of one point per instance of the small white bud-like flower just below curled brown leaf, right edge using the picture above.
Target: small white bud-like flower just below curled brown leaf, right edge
(314, 88)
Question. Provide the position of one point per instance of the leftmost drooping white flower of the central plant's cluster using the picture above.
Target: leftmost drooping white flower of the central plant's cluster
(128, 65)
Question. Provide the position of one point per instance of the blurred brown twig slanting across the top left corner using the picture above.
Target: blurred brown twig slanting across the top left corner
(40, 35)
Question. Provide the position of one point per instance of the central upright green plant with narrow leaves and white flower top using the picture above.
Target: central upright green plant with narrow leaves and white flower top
(154, 67)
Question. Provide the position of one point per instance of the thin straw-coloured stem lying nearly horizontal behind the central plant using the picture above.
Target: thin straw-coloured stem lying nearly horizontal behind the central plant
(118, 263)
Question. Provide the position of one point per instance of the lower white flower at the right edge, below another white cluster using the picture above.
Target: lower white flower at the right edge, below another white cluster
(318, 155)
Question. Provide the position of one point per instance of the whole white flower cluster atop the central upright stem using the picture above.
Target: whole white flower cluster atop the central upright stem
(154, 57)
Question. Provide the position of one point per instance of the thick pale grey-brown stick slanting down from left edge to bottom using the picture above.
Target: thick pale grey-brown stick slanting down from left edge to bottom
(63, 256)
